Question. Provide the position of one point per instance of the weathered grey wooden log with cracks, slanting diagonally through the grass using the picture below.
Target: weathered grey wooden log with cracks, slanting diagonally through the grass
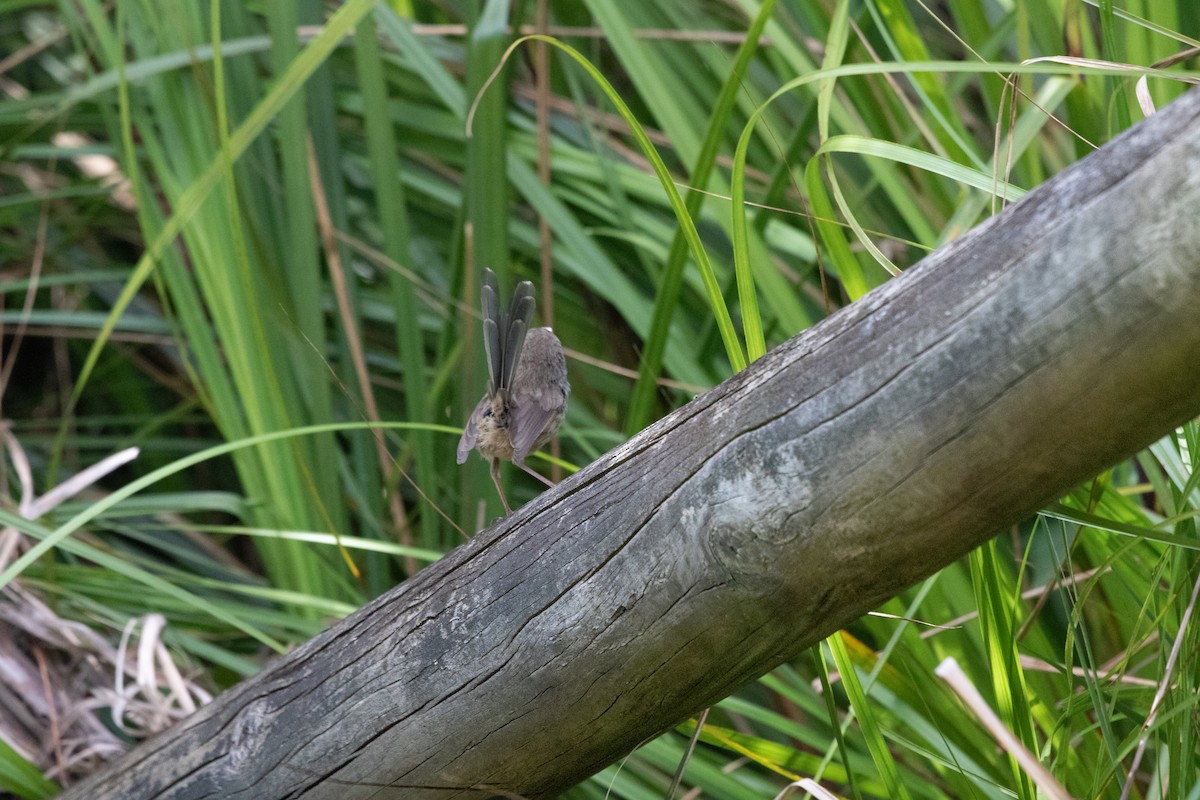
(849, 464)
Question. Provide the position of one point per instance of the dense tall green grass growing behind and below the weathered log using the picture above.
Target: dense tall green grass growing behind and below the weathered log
(310, 218)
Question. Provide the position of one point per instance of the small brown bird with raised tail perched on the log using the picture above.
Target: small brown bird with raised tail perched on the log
(527, 386)
